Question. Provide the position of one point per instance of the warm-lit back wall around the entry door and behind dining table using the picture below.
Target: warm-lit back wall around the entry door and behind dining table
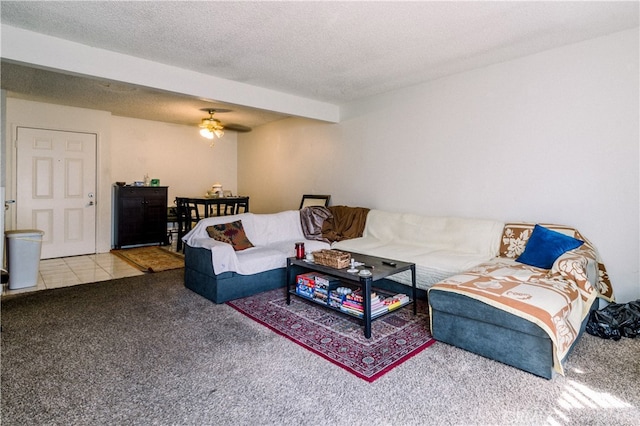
(127, 149)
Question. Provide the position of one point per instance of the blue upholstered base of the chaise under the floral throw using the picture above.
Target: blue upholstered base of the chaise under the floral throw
(488, 331)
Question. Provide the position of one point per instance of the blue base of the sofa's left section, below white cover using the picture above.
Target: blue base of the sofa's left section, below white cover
(199, 277)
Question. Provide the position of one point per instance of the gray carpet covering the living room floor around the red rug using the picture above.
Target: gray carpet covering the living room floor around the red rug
(145, 350)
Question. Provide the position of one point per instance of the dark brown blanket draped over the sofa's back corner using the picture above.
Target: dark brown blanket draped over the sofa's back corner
(335, 223)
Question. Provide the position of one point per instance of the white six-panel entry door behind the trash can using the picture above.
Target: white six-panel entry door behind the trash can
(56, 183)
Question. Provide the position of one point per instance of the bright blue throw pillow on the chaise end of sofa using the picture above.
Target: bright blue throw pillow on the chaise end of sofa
(545, 246)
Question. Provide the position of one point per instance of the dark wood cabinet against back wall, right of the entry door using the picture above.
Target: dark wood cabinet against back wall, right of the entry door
(140, 215)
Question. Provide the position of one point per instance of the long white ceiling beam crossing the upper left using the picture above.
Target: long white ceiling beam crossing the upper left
(62, 55)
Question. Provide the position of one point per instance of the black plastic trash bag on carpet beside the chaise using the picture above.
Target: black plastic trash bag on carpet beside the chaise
(615, 321)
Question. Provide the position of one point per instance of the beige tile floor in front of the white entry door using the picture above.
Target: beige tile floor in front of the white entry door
(68, 271)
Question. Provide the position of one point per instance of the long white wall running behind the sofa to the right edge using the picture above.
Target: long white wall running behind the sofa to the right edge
(551, 137)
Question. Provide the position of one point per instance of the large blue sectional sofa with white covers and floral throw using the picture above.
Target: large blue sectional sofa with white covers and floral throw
(482, 297)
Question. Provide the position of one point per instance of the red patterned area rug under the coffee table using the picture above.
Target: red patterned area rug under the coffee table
(339, 338)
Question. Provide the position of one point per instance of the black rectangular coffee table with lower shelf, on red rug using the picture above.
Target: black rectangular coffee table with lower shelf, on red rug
(379, 271)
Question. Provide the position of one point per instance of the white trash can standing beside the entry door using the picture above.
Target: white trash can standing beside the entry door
(23, 257)
